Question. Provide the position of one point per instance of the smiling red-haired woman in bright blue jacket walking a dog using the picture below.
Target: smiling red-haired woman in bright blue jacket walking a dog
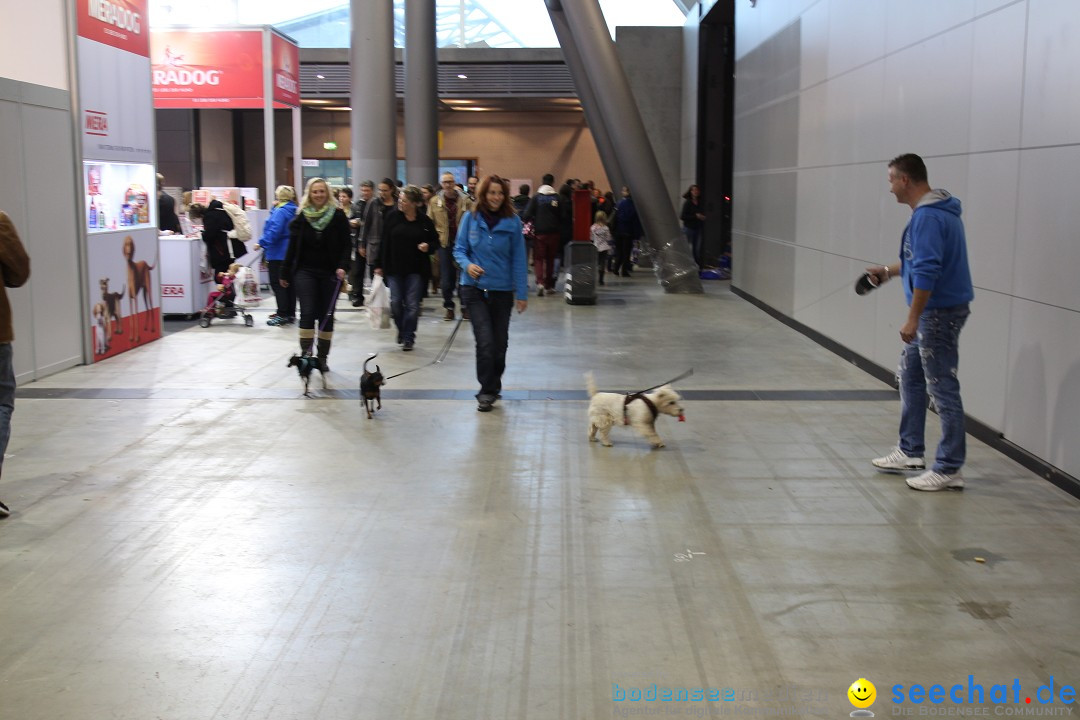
(491, 250)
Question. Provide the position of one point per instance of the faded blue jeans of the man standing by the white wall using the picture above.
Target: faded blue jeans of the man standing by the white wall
(930, 365)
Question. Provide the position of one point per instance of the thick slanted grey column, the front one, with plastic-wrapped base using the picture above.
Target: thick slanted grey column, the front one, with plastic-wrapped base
(589, 34)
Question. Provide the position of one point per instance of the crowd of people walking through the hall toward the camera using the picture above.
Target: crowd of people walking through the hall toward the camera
(470, 246)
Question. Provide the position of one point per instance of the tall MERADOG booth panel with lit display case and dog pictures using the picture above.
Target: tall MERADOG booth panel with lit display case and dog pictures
(123, 262)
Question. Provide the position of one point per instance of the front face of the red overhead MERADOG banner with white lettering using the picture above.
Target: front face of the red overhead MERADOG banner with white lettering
(206, 70)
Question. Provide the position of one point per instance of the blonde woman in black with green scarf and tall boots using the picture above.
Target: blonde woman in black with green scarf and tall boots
(318, 255)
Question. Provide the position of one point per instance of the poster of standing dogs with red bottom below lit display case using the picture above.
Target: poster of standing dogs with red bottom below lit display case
(125, 298)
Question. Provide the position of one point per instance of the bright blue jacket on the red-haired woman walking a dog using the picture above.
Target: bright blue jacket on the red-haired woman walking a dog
(499, 251)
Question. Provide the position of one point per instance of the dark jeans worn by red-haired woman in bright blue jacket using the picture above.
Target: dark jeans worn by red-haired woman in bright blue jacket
(490, 313)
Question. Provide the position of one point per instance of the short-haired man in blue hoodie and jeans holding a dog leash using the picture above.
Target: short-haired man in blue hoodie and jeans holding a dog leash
(934, 267)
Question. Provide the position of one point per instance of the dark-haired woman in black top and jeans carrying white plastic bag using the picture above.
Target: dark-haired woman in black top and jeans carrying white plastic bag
(409, 241)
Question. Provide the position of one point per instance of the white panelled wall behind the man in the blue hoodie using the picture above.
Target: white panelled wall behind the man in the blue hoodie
(987, 91)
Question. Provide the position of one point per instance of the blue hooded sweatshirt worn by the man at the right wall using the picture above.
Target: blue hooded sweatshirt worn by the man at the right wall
(934, 253)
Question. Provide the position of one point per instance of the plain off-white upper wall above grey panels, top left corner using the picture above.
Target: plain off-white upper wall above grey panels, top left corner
(33, 44)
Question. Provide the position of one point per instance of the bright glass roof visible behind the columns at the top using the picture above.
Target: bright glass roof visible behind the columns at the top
(487, 23)
